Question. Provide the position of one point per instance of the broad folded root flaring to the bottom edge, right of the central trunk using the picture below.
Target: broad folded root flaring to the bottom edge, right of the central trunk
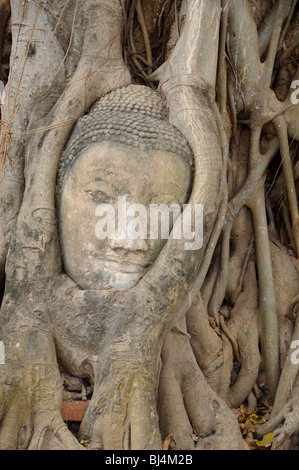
(204, 419)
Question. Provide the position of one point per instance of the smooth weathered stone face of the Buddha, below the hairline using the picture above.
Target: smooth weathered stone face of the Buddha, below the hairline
(105, 174)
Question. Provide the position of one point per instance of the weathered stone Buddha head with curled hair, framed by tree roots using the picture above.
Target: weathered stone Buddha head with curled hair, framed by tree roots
(122, 153)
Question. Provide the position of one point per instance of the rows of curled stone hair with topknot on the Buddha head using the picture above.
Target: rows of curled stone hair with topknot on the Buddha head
(133, 115)
